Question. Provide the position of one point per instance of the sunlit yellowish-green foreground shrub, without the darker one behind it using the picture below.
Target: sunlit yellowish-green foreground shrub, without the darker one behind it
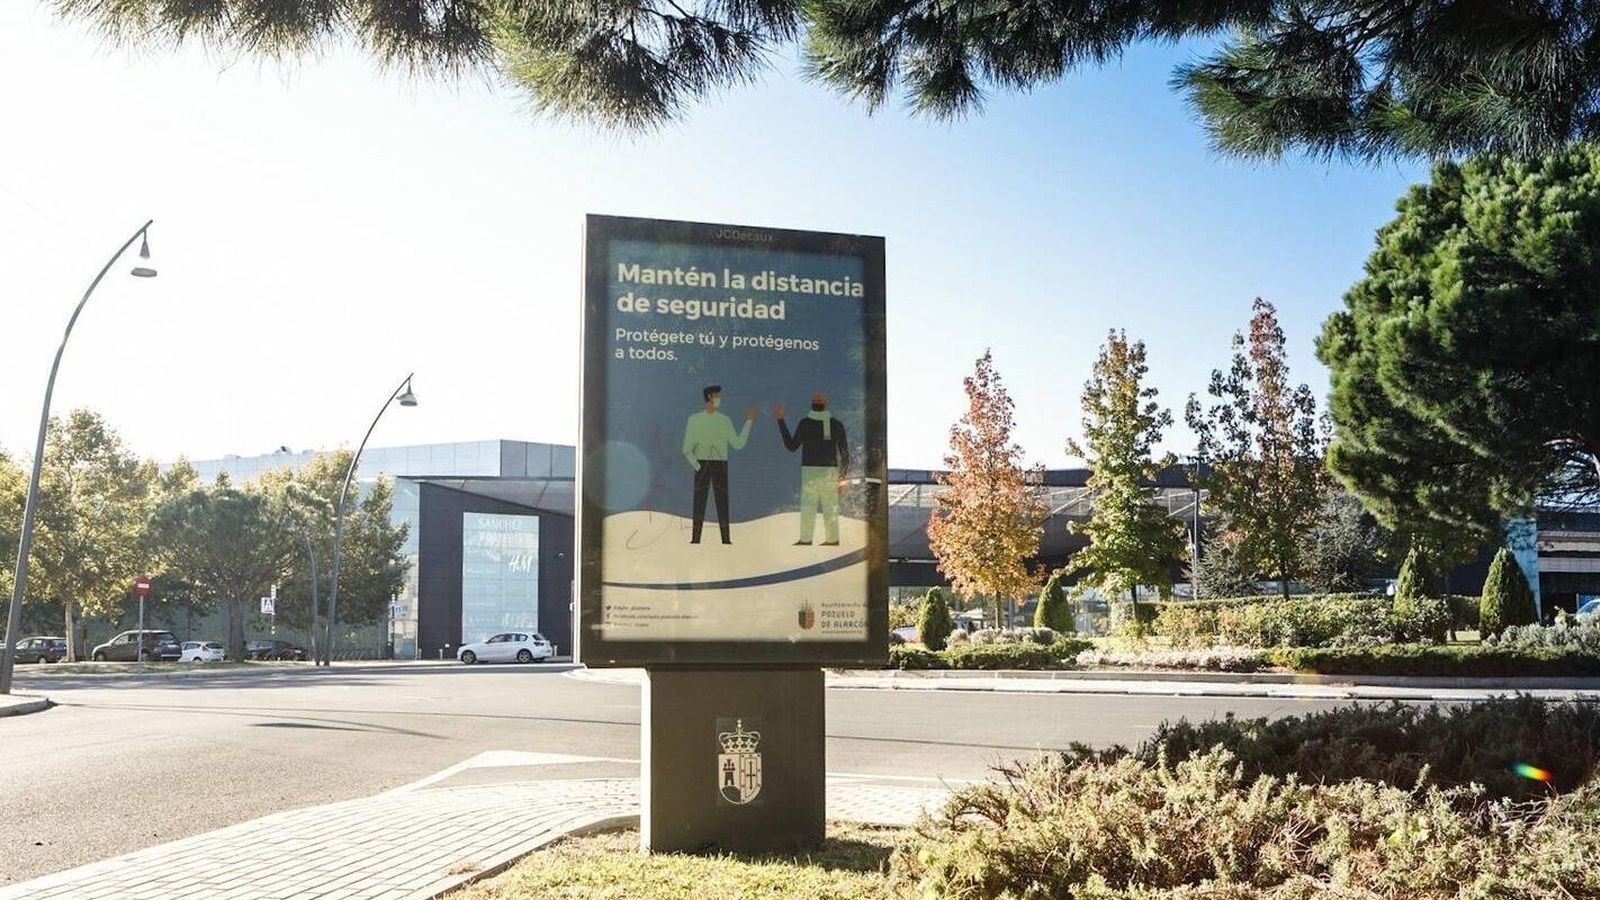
(1124, 829)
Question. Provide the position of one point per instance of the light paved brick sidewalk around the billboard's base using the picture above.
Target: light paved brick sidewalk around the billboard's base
(418, 842)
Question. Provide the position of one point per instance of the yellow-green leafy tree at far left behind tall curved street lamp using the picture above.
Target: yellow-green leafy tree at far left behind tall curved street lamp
(90, 532)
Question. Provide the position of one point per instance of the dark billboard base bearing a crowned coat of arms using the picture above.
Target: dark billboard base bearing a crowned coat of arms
(732, 760)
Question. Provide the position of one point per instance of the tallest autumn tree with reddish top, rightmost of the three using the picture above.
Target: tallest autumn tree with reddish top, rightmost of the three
(1263, 451)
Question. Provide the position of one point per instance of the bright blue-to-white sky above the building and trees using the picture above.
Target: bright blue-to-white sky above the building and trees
(326, 228)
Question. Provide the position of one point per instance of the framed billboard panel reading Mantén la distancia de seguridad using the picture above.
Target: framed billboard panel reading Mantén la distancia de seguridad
(732, 500)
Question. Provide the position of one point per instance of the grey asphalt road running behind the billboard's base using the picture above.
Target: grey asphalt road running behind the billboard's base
(124, 763)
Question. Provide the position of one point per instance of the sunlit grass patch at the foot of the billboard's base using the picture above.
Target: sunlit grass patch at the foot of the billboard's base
(609, 867)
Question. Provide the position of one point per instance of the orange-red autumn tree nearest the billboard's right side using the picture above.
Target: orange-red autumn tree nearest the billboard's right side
(990, 515)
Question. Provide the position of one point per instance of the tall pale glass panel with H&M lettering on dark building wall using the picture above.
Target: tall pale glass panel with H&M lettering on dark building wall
(500, 574)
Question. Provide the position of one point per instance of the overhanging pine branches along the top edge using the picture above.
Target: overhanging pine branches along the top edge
(1334, 78)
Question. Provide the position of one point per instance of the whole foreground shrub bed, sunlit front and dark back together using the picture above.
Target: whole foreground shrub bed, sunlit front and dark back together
(1361, 802)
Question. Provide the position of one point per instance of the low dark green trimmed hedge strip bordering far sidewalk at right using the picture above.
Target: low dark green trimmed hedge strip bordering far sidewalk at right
(1470, 661)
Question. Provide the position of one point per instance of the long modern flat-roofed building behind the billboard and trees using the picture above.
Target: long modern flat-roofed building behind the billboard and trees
(492, 537)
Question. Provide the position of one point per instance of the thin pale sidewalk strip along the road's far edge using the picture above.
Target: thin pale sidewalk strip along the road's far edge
(1186, 685)
